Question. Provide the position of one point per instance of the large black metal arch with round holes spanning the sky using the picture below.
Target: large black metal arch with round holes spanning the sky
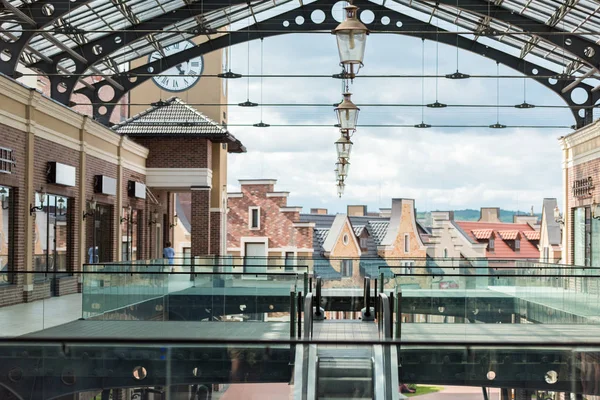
(102, 109)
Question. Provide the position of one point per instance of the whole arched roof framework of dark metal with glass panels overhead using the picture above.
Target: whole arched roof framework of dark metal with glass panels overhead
(83, 46)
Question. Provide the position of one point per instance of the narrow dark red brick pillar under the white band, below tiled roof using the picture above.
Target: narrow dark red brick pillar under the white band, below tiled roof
(200, 223)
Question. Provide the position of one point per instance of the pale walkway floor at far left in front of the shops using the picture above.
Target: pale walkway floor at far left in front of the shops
(21, 319)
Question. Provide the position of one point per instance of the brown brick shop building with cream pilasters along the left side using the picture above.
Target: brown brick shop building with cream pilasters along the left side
(56, 164)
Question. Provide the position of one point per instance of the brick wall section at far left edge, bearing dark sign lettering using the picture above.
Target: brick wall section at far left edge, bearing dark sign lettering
(15, 140)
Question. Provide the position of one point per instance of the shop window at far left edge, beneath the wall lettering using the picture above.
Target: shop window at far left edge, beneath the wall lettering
(6, 235)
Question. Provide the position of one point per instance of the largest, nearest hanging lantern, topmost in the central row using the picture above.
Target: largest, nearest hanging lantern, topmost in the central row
(351, 38)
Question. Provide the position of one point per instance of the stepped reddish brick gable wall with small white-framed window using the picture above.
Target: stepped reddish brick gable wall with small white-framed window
(274, 224)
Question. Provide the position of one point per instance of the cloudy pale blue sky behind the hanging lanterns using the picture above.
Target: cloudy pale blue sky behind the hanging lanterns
(441, 168)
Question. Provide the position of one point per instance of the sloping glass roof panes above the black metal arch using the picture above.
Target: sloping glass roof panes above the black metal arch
(99, 18)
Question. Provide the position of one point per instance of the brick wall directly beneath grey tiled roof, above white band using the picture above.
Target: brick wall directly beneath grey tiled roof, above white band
(177, 152)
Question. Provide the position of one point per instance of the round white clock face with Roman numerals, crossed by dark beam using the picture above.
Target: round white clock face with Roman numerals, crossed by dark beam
(182, 76)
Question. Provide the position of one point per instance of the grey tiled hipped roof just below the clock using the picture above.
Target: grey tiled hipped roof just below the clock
(175, 118)
